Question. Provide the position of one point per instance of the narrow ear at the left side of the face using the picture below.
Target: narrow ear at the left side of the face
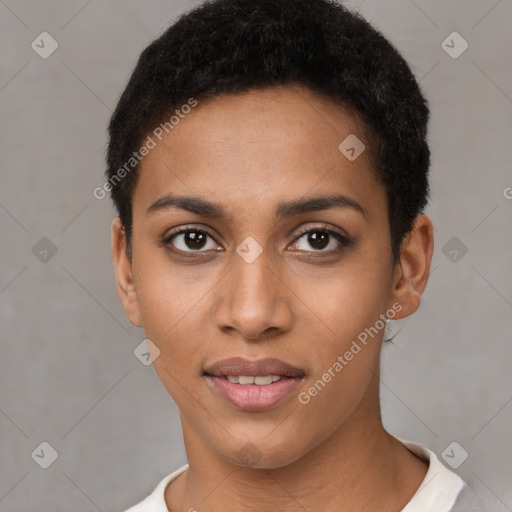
(123, 271)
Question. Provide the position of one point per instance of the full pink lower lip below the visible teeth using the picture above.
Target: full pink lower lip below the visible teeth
(251, 397)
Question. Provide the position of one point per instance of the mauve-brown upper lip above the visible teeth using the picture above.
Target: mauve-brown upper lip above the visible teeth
(237, 366)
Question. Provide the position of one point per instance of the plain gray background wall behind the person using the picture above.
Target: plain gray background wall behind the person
(68, 373)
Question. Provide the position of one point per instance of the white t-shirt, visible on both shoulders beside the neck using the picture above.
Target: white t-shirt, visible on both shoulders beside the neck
(441, 490)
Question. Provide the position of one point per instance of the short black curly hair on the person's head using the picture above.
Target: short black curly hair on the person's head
(233, 46)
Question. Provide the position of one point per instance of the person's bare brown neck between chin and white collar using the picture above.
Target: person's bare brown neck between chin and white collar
(359, 467)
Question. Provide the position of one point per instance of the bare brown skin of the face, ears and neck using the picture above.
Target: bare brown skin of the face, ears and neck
(248, 153)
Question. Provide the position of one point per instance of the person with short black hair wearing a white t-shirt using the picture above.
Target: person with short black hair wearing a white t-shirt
(269, 165)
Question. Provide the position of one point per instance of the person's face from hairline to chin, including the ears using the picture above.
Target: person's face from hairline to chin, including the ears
(284, 253)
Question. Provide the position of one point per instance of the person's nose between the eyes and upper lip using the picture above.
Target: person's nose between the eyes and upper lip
(254, 300)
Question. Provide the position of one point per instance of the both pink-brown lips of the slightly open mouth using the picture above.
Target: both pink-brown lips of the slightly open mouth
(252, 397)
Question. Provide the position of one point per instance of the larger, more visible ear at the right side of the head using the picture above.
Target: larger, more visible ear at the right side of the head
(413, 270)
